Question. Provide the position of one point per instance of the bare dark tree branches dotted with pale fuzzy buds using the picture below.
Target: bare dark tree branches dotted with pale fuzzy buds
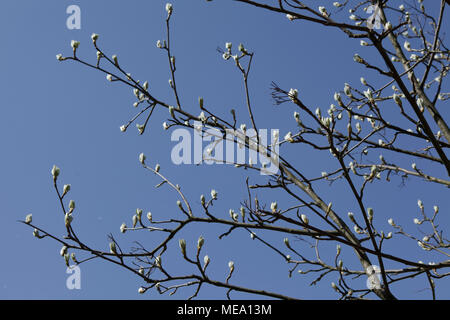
(390, 129)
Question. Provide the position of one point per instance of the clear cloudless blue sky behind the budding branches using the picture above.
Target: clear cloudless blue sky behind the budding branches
(65, 114)
